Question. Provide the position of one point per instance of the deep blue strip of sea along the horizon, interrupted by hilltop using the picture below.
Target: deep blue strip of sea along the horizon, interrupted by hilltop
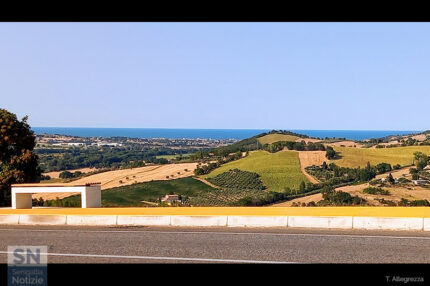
(237, 134)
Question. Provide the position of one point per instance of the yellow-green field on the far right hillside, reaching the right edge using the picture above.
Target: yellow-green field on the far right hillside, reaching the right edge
(355, 157)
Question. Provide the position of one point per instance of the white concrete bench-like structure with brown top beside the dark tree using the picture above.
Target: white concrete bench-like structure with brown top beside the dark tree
(21, 193)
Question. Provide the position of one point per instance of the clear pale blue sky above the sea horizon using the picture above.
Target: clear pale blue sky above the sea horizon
(368, 76)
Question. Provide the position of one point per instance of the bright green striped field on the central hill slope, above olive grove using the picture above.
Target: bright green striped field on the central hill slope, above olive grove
(277, 170)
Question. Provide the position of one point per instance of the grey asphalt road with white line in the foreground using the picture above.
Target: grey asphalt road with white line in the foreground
(218, 245)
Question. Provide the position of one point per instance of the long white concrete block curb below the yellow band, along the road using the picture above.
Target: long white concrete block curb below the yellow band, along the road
(328, 222)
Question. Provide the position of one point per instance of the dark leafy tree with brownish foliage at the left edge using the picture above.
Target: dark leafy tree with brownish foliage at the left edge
(18, 163)
